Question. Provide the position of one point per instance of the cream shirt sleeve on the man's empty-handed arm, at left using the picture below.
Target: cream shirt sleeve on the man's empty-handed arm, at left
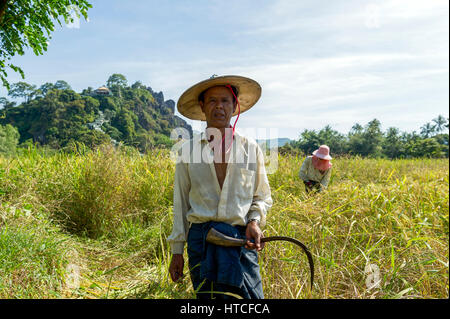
(181, 206)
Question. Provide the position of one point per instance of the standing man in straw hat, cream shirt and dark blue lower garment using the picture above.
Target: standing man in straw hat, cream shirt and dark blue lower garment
(220, 182)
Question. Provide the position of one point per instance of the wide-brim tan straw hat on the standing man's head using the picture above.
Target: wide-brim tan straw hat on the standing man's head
(249, 92)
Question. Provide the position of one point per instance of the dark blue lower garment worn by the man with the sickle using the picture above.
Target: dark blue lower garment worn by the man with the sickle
(222, 272)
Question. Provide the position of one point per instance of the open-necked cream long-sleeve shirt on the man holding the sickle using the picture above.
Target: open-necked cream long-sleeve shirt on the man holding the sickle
(197, 197)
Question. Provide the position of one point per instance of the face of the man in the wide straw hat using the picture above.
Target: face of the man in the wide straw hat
(218, 106)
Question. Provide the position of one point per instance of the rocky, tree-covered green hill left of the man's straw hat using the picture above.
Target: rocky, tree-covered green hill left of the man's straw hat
(55, 115)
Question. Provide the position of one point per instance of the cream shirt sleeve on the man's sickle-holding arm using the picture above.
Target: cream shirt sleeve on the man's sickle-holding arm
(262, 200)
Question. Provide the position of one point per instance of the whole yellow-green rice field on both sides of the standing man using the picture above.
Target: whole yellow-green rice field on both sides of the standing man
(103, 217)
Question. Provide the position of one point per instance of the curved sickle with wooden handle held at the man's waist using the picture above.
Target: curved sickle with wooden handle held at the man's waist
(217, 238)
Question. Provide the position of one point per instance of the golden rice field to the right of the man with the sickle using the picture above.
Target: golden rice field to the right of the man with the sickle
(393, 214)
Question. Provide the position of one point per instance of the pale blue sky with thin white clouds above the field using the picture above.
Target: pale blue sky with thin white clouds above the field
(318, 62)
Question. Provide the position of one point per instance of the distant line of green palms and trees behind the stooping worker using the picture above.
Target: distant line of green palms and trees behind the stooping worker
(370, 141)
